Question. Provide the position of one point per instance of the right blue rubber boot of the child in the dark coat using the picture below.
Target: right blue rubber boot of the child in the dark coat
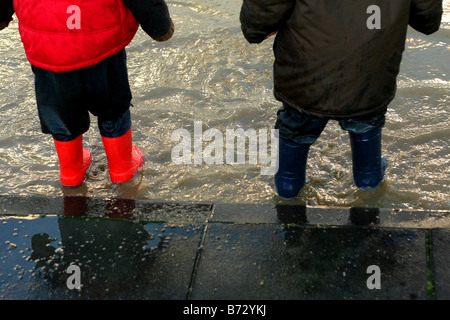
(368, 165)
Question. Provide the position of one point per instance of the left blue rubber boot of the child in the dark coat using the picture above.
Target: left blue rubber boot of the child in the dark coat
(290, 176)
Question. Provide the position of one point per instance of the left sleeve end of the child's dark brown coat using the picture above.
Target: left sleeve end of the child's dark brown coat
(260, 18)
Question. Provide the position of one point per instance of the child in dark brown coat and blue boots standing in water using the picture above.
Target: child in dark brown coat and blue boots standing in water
(335, 60)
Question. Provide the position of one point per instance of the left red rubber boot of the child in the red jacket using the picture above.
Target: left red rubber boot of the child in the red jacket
(74, 160)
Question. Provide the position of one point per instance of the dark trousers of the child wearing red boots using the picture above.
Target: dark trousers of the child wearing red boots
(65, 99)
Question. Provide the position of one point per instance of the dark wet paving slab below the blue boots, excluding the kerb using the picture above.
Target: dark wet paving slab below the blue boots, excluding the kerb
(271, 262)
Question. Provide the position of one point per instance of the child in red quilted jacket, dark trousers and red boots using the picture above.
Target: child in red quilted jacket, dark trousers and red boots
(78, 58)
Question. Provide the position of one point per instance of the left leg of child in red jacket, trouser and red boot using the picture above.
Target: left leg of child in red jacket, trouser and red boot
(61, 115)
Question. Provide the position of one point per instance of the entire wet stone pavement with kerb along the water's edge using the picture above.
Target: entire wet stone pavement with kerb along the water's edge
(146, 250)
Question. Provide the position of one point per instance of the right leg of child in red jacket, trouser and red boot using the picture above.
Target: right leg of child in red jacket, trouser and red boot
(110, 100)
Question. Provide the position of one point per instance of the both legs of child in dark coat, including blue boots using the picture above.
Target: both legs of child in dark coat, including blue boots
(298, 132)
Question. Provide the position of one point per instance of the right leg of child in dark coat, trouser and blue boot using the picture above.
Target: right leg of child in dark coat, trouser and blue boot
(365, 138)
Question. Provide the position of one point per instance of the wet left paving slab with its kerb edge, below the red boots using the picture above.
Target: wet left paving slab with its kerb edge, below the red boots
(122, 249)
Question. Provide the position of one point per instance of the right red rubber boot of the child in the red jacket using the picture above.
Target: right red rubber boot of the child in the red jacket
(124, 159)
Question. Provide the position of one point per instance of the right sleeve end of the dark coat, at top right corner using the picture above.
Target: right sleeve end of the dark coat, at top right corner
(425, 15)
